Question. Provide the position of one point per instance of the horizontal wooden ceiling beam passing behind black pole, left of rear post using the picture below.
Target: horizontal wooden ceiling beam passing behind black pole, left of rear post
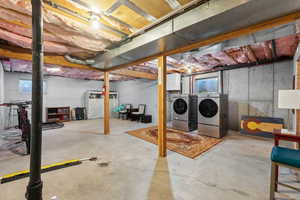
(54, 60)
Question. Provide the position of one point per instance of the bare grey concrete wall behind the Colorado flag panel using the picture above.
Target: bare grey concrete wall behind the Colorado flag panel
(254, 91)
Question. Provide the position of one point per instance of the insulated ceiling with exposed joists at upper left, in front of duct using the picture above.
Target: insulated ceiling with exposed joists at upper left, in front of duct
(69, 22)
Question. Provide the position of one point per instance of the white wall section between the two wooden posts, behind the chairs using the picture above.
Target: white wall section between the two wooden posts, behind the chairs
(139, 91)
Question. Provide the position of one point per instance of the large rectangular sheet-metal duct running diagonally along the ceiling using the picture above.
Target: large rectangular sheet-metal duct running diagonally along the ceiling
(208, 20)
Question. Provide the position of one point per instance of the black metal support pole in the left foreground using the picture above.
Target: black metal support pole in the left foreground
(35, 185)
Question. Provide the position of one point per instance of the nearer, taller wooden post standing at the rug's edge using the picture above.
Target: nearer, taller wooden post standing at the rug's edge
(162, 115)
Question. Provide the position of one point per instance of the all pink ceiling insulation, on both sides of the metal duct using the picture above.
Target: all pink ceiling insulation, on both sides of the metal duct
(68, 31)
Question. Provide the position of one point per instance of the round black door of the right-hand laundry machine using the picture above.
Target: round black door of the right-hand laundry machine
(208, 108)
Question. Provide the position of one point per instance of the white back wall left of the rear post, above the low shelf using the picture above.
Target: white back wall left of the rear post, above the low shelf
(60, 91)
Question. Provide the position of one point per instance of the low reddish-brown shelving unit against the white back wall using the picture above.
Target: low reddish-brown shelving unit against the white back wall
(58, 114)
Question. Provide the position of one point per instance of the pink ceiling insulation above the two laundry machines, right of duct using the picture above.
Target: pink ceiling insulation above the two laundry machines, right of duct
(253, 54)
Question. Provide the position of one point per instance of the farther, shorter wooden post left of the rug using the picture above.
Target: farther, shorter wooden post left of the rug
(106, 104)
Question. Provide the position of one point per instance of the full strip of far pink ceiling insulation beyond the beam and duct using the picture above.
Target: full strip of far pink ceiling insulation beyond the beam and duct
(199, 60)
